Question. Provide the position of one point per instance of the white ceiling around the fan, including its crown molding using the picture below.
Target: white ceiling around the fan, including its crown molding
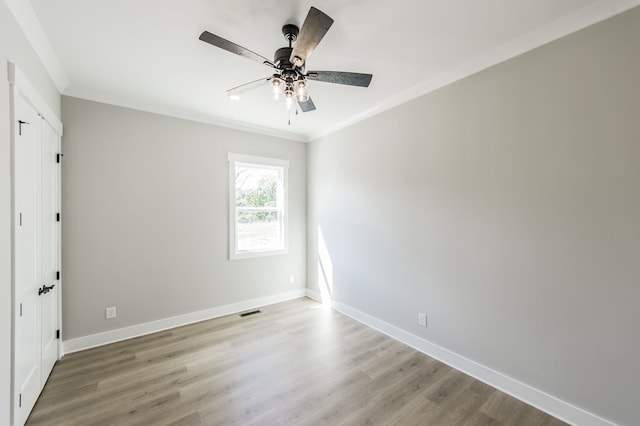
(146, 54)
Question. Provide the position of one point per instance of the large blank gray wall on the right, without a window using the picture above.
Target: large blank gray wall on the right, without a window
(507, 207)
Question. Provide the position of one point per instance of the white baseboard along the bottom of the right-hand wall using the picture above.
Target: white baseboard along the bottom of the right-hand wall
(532, 396)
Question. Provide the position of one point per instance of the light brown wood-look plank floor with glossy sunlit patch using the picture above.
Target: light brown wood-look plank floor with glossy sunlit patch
(295, 363)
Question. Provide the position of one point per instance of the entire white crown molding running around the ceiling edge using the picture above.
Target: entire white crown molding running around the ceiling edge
(582, 18)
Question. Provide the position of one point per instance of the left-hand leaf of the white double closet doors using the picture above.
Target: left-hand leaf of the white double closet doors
(27, 326)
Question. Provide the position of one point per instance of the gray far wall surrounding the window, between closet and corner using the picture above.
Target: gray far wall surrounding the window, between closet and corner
(145, 218)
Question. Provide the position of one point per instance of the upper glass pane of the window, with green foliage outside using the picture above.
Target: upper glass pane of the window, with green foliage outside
(256, 187)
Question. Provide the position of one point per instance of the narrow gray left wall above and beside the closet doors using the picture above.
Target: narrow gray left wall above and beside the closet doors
(15, 48)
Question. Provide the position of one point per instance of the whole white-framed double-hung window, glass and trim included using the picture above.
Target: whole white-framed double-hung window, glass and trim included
(257, 206)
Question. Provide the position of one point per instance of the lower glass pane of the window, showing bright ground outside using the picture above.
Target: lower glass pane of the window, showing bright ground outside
(258, 231)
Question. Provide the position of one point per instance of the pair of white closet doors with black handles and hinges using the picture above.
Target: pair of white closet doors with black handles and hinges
(37, 233)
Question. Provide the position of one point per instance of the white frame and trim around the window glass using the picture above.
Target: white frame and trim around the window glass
(283, 211)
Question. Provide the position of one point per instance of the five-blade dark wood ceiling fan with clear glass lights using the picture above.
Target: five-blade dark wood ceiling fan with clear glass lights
(290, 77)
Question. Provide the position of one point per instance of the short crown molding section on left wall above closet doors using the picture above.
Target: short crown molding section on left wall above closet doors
(30, 24)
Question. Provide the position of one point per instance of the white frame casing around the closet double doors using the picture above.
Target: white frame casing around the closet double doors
(19, 85)
